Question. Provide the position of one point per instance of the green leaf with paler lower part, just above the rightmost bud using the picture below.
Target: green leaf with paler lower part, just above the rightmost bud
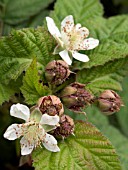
(104, 77)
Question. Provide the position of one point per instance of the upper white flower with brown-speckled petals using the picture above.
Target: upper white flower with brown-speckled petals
(71, 39)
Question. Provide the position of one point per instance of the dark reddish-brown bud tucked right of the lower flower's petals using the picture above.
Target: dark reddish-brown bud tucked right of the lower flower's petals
(66, 127)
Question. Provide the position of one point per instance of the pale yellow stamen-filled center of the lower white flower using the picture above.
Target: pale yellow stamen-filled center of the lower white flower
(33, 133)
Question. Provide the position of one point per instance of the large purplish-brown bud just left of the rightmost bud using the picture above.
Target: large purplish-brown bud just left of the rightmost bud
(75, 96)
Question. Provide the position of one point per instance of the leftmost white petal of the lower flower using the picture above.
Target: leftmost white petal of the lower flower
(13, 132)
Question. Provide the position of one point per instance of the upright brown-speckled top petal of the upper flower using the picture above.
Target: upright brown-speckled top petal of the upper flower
(67, 24)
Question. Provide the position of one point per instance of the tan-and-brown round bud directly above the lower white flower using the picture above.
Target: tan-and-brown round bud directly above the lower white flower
(50, 105)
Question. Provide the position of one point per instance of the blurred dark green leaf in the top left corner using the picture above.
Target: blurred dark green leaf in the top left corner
(15, 14)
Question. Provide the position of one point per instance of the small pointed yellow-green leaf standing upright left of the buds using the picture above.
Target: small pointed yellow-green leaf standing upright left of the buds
(32, 89)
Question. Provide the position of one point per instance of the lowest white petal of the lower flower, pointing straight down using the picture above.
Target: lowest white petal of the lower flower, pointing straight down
(26, 147)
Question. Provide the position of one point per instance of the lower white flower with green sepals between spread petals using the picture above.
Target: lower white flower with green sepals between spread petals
(34, 130)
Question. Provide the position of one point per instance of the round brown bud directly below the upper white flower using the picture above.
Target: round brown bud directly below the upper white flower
(56, 72)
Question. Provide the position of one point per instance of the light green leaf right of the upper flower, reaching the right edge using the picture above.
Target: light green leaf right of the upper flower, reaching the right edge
(113, 36)
